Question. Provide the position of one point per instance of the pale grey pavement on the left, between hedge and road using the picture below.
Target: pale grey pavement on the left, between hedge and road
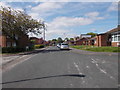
(10, 60)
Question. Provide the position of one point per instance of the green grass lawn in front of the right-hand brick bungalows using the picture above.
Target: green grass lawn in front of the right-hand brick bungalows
(97, 49)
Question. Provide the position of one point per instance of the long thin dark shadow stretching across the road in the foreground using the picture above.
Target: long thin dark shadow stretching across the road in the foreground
(67, 75)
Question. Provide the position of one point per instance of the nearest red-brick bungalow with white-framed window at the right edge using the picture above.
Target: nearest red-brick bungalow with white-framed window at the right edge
(110, 38)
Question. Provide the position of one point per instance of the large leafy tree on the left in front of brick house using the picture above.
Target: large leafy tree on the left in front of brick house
(15, 22)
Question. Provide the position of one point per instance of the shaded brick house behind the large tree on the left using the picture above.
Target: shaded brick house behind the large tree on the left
(5, 41)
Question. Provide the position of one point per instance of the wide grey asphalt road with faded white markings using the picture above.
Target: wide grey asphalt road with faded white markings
(54, 68)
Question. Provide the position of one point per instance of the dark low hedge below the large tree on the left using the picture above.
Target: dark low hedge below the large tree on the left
(12, 49)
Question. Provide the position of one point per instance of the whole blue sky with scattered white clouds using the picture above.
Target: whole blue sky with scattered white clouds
(70, 19)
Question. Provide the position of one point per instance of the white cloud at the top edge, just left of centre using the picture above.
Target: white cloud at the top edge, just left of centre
(45, 9)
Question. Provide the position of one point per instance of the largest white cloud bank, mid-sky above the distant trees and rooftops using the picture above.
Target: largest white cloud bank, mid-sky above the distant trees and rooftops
(61, 25)
